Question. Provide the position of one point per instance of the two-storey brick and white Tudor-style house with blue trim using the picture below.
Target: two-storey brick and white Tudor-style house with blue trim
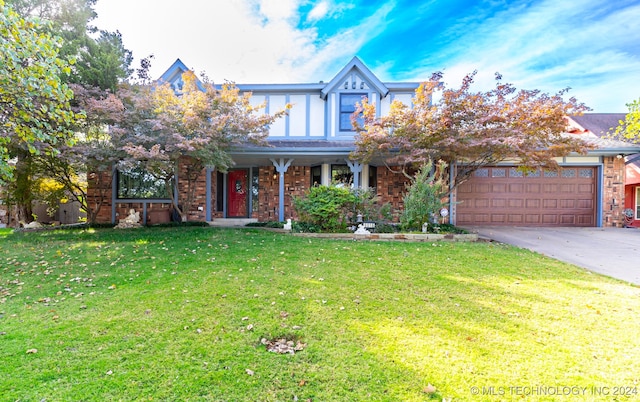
(312, 145)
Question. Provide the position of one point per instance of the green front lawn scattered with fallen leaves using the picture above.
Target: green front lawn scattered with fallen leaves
(179, 313)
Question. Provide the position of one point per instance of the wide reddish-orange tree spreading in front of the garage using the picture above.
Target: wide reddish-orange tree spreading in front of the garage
(469, 129)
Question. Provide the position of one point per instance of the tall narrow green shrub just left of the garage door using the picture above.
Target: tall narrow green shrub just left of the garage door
(424, 197)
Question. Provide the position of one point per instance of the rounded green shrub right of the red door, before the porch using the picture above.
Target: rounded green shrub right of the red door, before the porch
(326, 207)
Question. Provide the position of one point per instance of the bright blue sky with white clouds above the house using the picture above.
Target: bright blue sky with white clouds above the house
(591, 46)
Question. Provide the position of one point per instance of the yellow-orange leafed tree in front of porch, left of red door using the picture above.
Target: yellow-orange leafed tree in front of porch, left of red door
(198, 125)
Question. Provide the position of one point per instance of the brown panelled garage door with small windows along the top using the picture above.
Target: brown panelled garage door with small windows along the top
(505, 196)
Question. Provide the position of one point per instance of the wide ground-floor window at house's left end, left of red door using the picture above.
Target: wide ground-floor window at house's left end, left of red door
(137, 183)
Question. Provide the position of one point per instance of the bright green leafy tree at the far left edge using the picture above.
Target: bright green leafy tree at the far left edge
(35, 103)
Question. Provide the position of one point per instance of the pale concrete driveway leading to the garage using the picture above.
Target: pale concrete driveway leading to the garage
(613, 252)
